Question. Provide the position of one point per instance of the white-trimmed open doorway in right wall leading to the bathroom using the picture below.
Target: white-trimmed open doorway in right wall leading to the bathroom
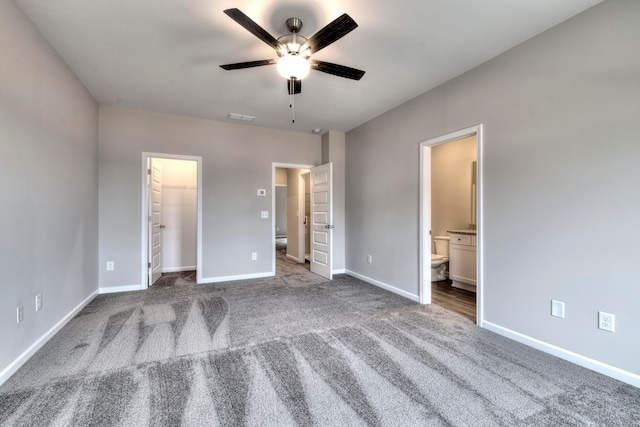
(450, 200)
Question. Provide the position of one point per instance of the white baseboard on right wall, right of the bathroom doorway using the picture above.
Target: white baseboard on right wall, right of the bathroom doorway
(578, 359)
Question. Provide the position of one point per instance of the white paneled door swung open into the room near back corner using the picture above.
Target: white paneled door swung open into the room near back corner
(321, 220)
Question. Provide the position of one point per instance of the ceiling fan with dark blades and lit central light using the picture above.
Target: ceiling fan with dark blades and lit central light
(294, 51)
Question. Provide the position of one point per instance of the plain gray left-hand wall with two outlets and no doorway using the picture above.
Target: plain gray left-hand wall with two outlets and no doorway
(49, 184)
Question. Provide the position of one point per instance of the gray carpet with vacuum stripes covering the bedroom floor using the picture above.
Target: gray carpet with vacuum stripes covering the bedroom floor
(297, 350)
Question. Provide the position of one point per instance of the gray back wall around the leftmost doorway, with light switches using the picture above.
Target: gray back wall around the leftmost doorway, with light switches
(236, 161)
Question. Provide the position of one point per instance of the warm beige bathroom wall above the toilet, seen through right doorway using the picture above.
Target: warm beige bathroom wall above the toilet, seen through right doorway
(451, 185)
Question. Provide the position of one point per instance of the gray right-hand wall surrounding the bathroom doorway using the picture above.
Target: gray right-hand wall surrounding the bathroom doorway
(561, 183)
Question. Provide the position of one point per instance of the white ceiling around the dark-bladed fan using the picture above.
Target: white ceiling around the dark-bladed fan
(164, 55)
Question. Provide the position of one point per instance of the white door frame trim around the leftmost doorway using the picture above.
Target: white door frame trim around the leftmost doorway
(144, 217)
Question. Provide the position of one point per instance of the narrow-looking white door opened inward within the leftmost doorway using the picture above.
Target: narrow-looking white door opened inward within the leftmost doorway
(155, 223)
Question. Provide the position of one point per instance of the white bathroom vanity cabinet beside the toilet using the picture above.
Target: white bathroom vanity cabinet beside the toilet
(462, 259)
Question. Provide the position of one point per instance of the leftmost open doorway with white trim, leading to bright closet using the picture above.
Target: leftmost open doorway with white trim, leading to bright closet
(171, 218)
